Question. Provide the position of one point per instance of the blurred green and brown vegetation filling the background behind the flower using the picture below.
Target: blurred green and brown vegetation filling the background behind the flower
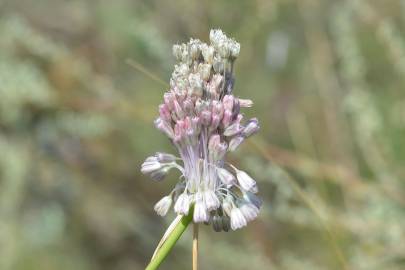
(327, 79)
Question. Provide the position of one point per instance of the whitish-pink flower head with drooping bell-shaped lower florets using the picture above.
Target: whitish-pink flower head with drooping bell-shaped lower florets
(202, 118)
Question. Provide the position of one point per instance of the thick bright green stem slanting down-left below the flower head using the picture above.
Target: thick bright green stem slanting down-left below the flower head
(171, 240)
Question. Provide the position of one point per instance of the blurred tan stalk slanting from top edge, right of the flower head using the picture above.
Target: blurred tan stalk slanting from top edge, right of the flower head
(322, 61)
